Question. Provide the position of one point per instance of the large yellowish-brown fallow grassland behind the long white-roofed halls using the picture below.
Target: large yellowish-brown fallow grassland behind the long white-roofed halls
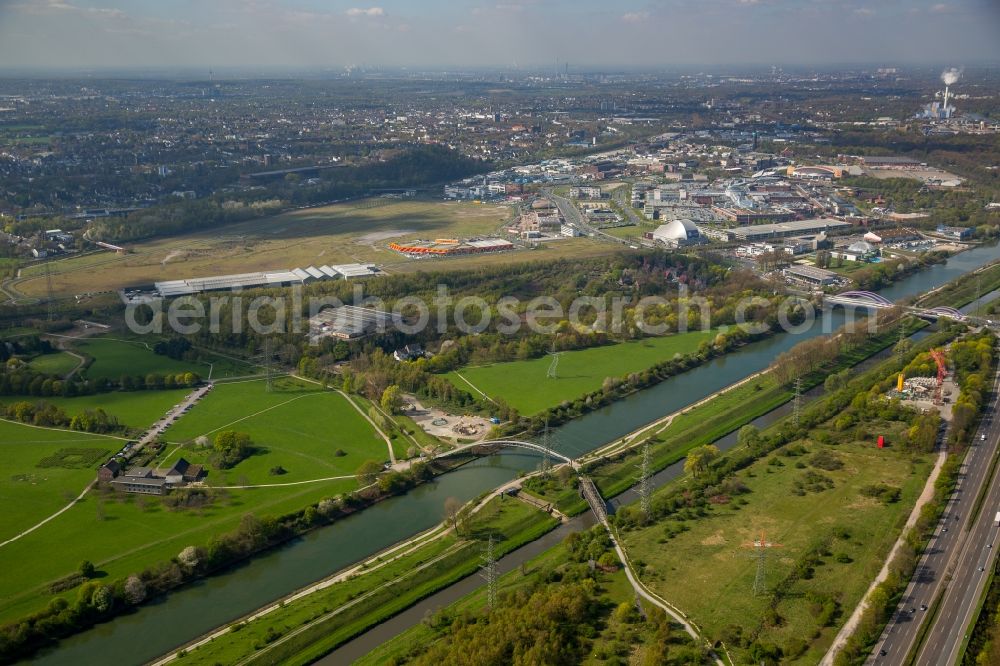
(340, 233)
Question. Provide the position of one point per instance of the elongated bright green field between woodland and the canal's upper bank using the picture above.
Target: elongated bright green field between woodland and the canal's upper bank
(524, 384)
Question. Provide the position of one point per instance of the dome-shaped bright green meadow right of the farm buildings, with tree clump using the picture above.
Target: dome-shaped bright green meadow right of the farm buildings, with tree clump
(296, 426)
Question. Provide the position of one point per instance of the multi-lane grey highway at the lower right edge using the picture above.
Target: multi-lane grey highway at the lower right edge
(951, 564)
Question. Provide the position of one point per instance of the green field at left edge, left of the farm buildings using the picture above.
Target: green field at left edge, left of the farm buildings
(38, 492)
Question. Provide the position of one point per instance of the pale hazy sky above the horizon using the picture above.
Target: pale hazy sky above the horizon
(335, 33)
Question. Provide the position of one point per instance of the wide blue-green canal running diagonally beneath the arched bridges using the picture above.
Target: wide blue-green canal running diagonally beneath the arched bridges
(158, 628)
